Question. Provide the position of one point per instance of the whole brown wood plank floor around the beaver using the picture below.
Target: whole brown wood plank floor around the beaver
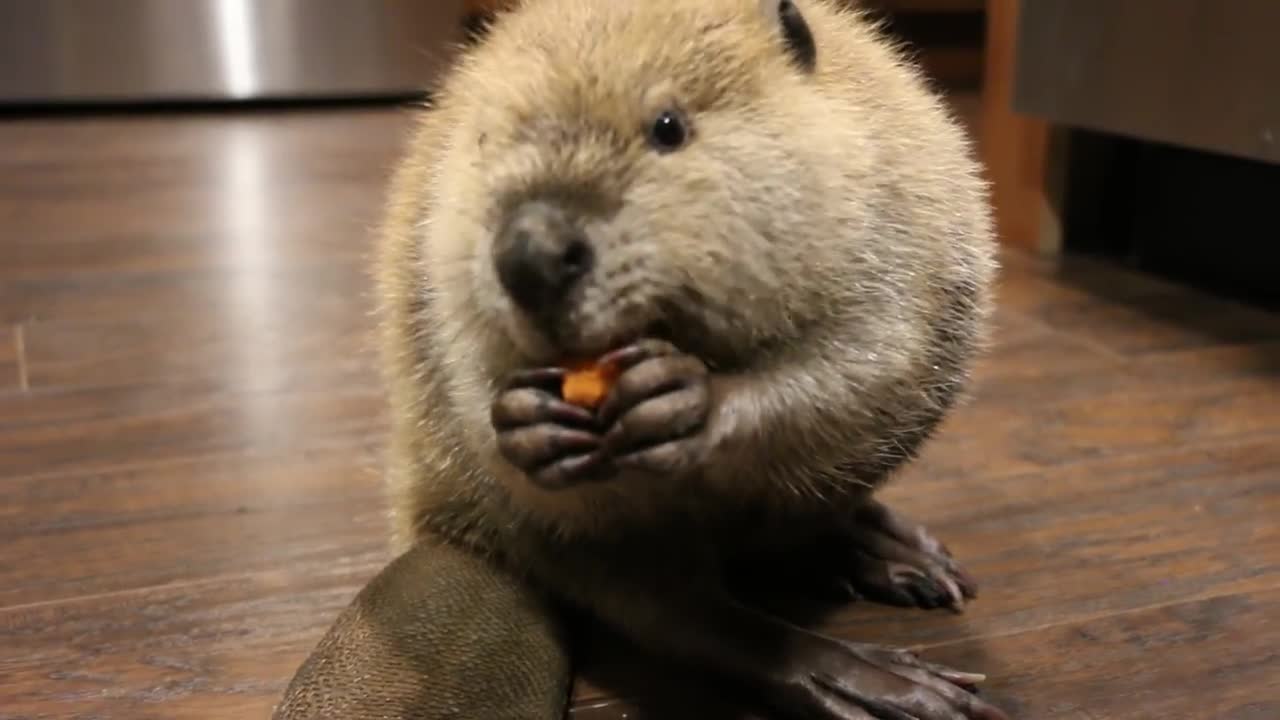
(190, 432)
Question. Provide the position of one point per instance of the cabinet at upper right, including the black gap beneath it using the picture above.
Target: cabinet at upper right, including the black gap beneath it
(1146, 131)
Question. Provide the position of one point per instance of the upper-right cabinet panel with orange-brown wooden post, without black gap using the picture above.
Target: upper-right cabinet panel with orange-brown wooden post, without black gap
(1200, 75)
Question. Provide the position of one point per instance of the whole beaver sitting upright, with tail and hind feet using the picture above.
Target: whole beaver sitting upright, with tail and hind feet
(764, 217)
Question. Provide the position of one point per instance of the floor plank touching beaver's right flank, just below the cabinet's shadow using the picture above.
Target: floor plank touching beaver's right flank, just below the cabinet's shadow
(1034, 421)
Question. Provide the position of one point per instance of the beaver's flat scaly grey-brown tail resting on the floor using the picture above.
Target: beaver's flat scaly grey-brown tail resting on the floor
(438, 634)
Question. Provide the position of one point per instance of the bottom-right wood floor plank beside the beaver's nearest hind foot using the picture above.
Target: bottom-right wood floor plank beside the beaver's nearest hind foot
(1213, 659)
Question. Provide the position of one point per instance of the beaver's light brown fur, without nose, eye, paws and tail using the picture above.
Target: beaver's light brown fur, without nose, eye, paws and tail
(828, 236)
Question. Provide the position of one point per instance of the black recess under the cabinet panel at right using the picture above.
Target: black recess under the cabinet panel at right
(1199, 218)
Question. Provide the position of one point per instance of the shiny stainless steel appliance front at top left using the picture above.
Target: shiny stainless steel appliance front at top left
(221, 51)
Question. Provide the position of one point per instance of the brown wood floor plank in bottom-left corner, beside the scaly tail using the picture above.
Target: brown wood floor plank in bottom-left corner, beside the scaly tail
(221, 649)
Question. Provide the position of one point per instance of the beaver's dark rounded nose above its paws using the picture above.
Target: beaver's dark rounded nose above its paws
(541, 254)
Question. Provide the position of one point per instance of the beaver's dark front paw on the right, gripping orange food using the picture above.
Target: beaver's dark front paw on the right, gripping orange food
(657, 411)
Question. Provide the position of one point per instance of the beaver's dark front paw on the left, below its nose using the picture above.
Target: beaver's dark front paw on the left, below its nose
(556, 444)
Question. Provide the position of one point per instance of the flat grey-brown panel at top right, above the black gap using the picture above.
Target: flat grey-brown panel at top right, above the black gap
(1199, 74)
